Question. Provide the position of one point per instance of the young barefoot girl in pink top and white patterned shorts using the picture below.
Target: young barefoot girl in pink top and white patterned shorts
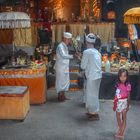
(122, 101)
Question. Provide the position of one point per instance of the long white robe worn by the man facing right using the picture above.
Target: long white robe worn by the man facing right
(62, 68)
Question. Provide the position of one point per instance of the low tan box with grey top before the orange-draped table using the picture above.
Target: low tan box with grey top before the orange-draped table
(14, 102)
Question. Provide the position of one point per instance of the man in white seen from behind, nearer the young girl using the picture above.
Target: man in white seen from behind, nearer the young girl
(91, 63)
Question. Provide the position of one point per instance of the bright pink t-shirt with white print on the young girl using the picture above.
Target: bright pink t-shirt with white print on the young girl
(123, 90)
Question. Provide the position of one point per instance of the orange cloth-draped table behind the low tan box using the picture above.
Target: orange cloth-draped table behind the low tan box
(35, 79)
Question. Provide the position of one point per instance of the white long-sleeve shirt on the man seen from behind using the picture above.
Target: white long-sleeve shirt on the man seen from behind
(92, 64)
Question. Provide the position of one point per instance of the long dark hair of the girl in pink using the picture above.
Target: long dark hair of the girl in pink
(120, 73)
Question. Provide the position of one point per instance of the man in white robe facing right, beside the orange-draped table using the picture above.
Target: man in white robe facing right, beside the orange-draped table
(62, 67)
